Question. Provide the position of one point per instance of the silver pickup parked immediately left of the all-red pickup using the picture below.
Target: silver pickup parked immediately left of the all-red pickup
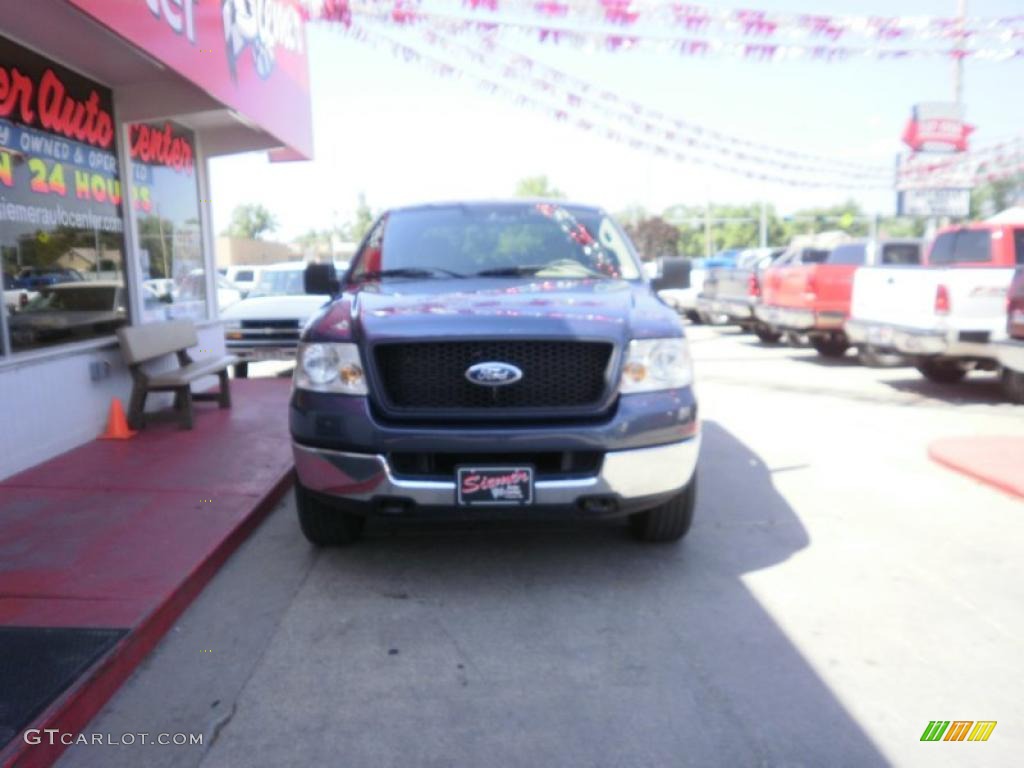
(735, 292)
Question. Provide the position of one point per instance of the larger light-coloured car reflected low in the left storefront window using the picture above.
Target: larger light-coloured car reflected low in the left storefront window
(68, 312)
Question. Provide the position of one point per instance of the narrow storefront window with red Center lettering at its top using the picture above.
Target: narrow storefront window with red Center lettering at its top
(165, 197)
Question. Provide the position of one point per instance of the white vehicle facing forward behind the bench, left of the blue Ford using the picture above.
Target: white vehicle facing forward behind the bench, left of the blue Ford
(267, 324)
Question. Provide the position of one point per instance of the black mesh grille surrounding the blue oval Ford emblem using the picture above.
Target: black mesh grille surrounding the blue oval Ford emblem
(433, 375)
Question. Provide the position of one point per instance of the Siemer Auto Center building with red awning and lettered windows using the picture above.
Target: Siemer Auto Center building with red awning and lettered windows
(110, 111)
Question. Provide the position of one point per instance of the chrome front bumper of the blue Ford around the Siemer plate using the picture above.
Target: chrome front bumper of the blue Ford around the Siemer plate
(625, 475)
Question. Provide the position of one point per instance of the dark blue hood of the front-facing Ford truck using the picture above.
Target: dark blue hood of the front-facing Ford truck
(616, 311)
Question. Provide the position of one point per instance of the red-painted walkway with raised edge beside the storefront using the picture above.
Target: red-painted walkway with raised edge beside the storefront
(123, 535)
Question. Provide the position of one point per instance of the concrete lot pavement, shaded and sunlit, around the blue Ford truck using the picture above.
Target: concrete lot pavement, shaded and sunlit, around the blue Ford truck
(838, 591)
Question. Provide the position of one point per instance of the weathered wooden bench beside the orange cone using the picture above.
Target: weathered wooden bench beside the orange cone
(140, 345)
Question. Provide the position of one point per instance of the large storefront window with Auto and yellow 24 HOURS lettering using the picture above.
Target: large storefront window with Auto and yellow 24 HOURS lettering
(62, 231)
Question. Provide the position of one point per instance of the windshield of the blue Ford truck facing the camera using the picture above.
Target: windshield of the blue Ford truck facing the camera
(500, 241)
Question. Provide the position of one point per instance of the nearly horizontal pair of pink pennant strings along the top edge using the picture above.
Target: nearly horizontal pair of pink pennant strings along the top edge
(695, 31)
